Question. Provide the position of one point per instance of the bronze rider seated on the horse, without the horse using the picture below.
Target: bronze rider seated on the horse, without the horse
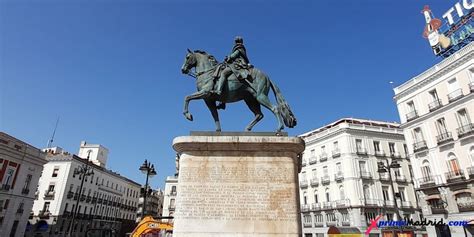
(237, 62)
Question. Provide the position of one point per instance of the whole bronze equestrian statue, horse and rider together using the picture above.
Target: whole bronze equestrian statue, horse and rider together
(231, 81)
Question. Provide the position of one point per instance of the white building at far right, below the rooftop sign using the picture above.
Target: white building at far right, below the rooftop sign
(436, 110)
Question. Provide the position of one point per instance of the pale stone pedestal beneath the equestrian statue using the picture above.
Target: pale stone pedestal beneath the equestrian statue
(237, 184)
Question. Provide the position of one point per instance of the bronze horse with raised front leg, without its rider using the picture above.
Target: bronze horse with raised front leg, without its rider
(254, 92)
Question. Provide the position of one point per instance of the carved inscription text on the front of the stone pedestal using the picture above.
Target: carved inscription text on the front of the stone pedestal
(236, 192)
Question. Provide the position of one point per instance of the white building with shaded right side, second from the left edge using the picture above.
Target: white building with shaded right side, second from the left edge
(107, 199)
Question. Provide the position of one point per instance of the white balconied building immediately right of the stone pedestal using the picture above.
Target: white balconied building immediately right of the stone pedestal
(340, 186)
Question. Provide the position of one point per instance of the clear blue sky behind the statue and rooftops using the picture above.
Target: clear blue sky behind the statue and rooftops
(110, 69)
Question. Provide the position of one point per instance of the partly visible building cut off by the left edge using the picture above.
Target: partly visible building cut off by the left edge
(20, 169)
